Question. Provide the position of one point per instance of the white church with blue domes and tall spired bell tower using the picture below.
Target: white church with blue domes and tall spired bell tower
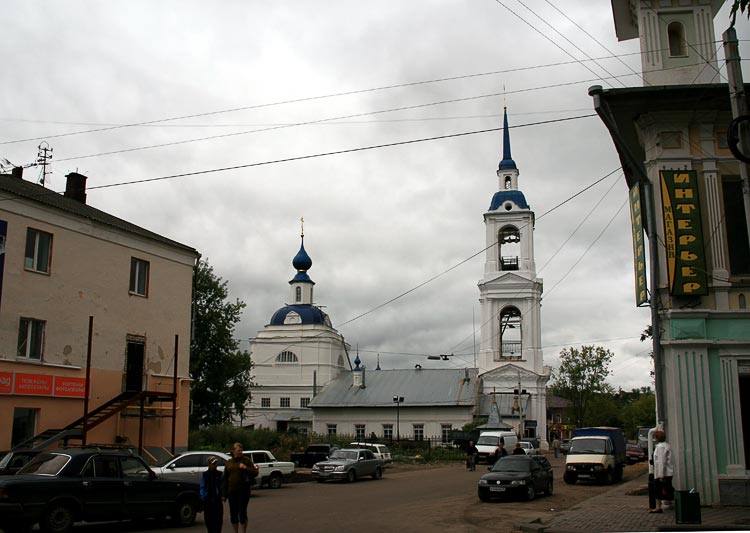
(305, 378)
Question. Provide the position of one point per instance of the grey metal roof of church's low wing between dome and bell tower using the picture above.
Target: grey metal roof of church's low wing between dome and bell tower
(418, 387)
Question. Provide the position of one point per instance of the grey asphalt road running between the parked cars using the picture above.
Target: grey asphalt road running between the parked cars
(406, 499)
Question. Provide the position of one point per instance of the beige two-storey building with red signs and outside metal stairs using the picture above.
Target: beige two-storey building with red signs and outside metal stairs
(89, 302)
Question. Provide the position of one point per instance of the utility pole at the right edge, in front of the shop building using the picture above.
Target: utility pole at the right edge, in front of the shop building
(739, 109)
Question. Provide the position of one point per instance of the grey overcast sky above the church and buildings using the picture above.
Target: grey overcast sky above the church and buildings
(177, 87)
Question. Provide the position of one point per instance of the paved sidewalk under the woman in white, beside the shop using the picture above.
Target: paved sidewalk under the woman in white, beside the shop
(625, 508)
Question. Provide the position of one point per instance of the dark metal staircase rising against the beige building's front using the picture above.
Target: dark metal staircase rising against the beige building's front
(74, 430)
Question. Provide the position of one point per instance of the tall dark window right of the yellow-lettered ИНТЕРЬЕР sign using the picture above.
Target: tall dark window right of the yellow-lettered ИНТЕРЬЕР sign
(736, 226)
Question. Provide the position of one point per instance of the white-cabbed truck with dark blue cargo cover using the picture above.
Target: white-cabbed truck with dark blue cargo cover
(596, 454)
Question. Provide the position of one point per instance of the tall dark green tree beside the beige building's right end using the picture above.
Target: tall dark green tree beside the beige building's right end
(220, 370)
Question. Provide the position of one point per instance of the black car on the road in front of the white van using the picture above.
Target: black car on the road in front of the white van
(517, 475)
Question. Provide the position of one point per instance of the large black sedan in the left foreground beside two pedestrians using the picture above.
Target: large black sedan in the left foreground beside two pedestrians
(61, 487)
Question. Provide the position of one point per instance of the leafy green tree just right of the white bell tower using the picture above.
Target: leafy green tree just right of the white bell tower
(580, 377)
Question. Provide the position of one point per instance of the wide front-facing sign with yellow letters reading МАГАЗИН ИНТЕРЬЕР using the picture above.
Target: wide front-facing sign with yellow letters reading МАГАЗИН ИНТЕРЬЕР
(683, 233)
